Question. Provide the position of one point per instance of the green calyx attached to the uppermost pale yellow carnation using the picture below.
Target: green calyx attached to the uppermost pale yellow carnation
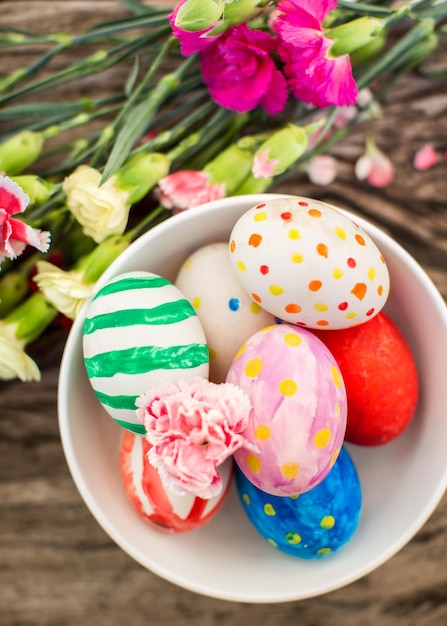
(141, 173)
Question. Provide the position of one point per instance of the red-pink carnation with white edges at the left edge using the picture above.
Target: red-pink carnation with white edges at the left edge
(15, 235)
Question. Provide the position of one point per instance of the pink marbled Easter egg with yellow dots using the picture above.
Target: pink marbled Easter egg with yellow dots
(298, 416)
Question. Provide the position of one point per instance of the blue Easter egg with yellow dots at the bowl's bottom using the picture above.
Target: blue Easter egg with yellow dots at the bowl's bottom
(314, 524)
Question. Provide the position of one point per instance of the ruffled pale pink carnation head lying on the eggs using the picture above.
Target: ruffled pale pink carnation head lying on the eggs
(193, 427)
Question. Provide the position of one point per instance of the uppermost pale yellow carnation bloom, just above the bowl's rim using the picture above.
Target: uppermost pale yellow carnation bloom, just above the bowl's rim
(101, 210)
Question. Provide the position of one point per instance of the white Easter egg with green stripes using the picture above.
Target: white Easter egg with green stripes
(140, 331)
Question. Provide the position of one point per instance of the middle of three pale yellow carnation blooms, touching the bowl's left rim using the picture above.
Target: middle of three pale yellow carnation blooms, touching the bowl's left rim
(66, 291)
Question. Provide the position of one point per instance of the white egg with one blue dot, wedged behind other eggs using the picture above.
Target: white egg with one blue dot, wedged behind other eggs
(228, 315)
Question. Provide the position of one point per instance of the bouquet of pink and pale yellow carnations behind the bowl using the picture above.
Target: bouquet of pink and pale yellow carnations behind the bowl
(221, 97)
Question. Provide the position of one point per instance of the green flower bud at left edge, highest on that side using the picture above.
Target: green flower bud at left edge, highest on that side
(20, 151)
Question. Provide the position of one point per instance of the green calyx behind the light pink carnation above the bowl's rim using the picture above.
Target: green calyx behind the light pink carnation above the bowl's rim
(231, 167)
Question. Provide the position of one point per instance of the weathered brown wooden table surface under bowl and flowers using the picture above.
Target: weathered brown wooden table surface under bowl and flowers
(59, 568)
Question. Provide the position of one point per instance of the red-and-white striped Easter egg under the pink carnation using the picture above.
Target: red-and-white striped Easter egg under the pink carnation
(150, 498)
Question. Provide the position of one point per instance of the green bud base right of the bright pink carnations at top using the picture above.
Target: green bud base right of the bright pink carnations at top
(353, 35)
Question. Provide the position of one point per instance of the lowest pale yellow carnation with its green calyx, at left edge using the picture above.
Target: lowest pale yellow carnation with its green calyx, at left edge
(18, 329)
